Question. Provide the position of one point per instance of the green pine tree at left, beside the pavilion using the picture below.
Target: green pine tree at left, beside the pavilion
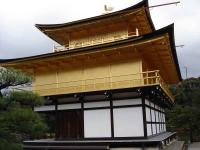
(18, 121)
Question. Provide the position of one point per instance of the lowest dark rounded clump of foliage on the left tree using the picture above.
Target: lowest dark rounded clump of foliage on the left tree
(23, 124)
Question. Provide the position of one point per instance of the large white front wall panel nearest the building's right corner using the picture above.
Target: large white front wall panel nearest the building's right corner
(128, 122)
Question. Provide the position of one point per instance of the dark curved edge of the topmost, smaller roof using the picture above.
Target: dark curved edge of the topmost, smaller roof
(143, 3)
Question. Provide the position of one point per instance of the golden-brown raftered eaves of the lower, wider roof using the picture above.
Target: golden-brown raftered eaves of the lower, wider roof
(156, 48)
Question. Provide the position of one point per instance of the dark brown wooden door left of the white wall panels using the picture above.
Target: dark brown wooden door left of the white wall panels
(69, 124)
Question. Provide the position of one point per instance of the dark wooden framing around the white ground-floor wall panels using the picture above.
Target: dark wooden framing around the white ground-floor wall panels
(111, 107)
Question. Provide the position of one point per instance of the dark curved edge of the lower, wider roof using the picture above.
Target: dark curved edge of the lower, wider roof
(168, 29)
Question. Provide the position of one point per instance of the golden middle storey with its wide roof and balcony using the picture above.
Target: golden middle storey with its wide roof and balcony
(133, 62)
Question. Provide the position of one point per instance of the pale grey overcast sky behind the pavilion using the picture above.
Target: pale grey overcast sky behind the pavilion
(20, 38)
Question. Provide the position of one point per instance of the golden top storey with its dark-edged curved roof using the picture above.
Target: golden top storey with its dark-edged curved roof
(132, 21)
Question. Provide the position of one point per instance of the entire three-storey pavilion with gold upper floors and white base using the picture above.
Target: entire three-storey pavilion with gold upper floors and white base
(106, 85)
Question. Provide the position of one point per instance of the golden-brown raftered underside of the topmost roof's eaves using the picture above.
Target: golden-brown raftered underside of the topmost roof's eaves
(135, 17)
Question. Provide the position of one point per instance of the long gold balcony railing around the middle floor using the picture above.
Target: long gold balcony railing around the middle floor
(147, 78)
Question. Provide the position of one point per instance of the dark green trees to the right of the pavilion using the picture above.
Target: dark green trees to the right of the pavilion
(184, 117)
